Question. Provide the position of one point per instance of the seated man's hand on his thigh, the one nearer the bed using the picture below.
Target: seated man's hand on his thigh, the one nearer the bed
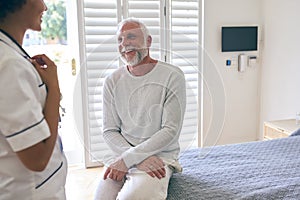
(154, 166)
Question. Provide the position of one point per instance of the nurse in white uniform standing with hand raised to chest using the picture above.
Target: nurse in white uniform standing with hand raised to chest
(32, 163)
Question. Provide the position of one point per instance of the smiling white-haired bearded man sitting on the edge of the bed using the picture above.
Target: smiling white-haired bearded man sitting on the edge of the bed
(143, 109)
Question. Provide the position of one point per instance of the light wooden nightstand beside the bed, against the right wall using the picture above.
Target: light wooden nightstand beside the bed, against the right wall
(279, 128)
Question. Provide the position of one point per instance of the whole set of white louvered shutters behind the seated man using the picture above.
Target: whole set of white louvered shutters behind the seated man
(174, 39)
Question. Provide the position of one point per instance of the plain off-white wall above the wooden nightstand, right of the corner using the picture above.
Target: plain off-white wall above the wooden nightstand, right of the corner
(280, 91)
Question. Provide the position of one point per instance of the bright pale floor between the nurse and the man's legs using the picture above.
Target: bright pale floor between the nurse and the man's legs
(81, 182)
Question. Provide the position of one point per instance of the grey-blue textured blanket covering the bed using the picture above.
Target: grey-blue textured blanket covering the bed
(256, 170)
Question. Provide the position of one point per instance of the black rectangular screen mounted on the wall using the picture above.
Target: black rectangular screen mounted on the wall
(239, 38)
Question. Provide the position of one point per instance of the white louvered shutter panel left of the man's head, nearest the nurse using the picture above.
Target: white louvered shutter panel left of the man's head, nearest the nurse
(99, 57)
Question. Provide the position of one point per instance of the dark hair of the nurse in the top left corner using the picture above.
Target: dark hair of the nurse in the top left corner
(10, 6)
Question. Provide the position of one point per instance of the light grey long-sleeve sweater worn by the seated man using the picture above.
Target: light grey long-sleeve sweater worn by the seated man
(143, 115)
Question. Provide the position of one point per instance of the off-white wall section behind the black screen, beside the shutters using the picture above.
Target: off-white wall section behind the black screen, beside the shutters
(229, 96)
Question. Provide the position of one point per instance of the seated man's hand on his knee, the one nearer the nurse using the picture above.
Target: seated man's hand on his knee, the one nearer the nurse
(116, 171)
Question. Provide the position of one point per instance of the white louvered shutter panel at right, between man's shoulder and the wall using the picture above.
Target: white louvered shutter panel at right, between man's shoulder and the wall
(184, 52)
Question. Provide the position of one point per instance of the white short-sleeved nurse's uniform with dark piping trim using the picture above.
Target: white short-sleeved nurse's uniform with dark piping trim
(22, 124)
